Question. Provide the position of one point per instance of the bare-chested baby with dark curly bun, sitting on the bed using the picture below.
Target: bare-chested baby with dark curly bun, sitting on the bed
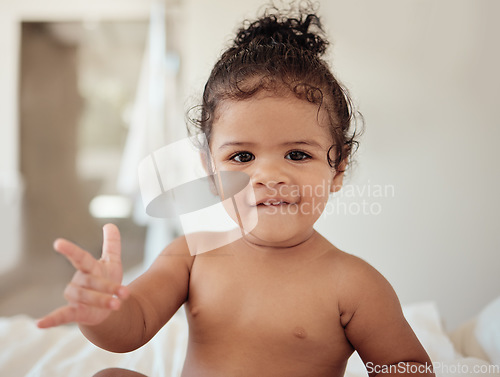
(281, 300)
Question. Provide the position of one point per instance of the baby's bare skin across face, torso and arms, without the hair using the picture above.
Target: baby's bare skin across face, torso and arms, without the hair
(282, 300)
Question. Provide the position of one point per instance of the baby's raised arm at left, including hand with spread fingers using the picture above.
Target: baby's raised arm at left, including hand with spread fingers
(114, 317)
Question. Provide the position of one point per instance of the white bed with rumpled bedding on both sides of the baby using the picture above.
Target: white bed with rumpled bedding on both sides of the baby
(471, 350)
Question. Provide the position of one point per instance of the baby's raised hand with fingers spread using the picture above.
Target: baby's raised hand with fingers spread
(95, 289)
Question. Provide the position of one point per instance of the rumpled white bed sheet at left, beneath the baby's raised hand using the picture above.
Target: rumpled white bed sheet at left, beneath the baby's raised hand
(28, 351)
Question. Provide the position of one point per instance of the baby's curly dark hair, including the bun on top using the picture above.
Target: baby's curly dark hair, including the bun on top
(282, 52)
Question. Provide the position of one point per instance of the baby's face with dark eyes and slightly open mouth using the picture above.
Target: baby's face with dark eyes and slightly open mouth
(282, 144)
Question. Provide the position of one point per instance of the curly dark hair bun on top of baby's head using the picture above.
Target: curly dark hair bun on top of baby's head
(299, 29)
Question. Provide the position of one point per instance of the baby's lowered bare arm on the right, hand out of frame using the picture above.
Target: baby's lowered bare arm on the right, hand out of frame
(374, 324)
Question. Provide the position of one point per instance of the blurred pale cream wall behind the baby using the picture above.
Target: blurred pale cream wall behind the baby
(421, 203)
